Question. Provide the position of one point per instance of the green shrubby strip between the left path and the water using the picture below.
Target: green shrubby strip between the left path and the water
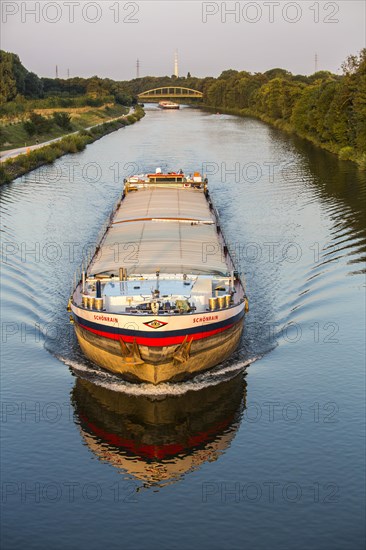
(22, 164)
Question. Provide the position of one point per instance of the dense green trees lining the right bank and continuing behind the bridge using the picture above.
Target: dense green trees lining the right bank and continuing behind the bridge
(327, 109)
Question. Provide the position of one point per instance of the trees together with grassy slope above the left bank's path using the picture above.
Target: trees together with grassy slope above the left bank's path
(34, 110)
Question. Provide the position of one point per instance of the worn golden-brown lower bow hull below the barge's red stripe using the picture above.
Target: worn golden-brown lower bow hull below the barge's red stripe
(157, 364)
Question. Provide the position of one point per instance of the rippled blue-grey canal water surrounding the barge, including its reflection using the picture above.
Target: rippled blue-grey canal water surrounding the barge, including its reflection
(268, 450)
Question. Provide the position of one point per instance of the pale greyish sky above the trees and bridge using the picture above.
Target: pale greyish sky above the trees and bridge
(106, 37)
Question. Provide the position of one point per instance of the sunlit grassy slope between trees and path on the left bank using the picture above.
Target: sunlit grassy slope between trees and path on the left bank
(13, 133)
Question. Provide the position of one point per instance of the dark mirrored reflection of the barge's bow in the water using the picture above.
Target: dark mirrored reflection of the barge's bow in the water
(159, 441)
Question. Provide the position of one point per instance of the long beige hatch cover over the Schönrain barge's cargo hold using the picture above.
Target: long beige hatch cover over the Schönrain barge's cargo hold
(167, 229)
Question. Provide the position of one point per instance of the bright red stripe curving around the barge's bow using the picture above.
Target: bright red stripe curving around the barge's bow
(157, 342)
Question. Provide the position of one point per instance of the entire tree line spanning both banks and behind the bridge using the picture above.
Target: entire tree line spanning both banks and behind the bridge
(324, 108)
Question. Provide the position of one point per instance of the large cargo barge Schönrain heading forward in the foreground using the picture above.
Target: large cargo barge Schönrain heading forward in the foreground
(160, 300)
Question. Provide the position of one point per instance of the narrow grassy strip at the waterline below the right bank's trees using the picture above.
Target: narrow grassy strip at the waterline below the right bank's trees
(343, 153)
